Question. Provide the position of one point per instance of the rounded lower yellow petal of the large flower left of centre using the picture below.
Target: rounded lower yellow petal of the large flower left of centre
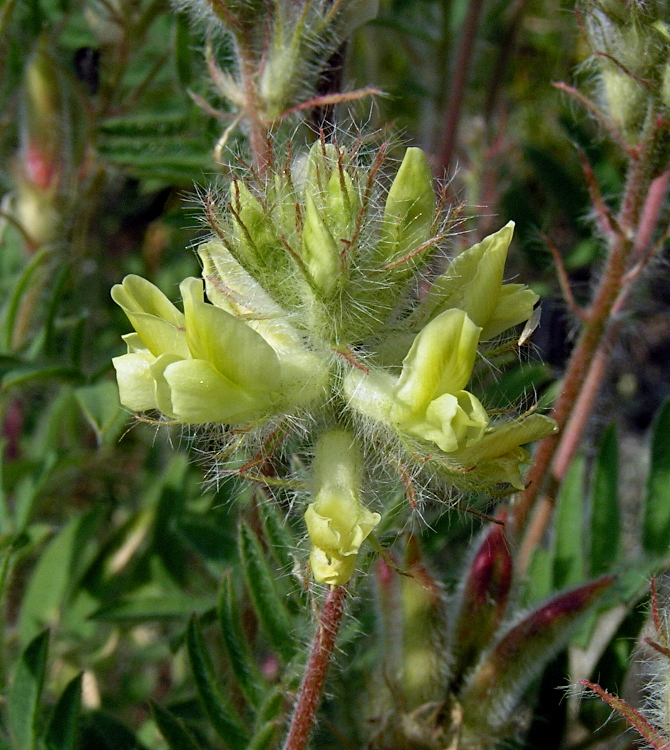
(200, 394)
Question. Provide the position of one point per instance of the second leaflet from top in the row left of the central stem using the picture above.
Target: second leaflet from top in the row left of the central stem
(241, 660)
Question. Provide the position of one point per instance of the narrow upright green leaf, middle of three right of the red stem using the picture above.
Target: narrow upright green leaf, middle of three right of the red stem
(605, 525)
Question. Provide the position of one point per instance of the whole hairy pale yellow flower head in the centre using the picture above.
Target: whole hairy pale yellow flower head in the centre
(312, 308)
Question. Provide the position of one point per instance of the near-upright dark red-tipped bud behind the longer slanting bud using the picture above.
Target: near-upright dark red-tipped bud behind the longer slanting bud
(483, 600)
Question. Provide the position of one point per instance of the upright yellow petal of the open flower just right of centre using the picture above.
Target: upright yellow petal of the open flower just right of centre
(440, 360)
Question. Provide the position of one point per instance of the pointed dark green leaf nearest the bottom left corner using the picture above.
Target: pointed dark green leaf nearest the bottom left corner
(25, 692)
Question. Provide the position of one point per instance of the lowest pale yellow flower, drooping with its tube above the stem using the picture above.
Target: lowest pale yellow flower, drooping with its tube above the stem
(337, 522)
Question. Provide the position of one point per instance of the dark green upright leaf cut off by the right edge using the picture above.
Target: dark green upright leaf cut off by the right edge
(656, 513)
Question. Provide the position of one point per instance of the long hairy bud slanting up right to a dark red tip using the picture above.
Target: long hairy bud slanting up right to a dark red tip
(494, 689)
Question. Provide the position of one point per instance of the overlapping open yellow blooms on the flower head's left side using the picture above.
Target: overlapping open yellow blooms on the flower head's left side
(206, 364)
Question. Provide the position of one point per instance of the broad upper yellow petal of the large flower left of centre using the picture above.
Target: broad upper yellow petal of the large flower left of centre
(235, 350)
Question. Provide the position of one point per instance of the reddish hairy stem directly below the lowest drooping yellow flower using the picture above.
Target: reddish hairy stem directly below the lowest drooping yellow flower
(314, 679)
